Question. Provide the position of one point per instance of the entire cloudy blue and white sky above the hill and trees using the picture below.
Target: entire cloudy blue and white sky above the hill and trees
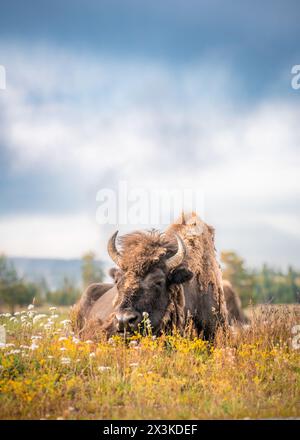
(173, 94)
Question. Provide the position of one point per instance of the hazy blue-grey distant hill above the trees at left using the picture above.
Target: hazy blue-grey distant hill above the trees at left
(53, 271)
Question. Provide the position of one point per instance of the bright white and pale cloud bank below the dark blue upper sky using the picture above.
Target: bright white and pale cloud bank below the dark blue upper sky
(72, 125)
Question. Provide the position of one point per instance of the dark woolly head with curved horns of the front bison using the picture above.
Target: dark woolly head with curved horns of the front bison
(150, 272)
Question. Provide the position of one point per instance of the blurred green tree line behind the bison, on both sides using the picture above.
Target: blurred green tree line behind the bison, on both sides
(264, 285)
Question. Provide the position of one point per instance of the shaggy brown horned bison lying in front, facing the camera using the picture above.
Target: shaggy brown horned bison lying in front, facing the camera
(172, 277)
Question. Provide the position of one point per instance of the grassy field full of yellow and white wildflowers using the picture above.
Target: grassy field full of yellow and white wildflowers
(47, 373)
